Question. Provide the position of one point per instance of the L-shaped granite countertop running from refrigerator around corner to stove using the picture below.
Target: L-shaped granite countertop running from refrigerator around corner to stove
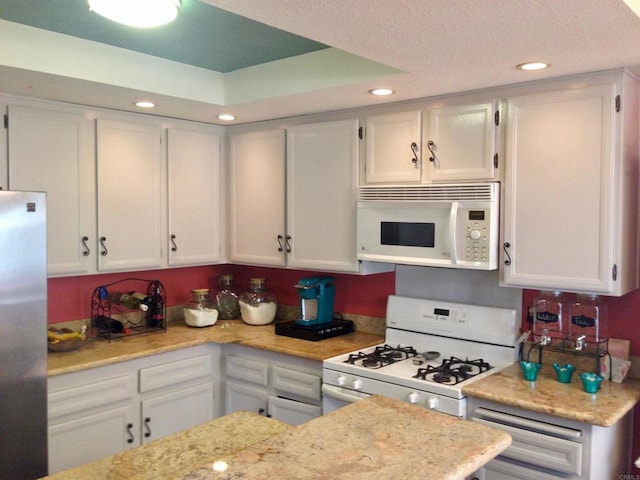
(100, 352)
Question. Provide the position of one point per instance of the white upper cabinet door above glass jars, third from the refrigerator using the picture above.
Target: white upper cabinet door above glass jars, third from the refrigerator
(194, 197)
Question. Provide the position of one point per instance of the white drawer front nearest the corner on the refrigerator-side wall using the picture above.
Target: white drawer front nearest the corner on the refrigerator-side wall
(173, 373)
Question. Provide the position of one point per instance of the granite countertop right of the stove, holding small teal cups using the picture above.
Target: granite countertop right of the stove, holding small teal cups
(566, 400)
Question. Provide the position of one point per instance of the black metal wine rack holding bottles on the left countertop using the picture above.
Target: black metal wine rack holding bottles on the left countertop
(111, 321)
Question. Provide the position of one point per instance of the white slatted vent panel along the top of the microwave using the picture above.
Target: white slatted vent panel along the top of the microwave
(428, 193)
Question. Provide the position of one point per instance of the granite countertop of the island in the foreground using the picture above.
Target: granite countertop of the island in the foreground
(375, 438)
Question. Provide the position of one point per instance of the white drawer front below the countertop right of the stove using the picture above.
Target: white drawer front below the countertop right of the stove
(537, 449)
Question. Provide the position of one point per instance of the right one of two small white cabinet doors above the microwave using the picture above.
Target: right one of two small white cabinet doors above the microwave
(460, 142)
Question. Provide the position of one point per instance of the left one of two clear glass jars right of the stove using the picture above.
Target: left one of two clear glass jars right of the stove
(549, 317)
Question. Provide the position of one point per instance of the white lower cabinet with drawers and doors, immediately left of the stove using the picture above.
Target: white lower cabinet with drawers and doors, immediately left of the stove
(279, 386)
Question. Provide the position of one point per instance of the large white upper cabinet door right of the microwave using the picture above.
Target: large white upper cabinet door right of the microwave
(558, 191)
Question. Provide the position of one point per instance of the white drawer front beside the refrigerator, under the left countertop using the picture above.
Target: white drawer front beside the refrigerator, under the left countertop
(96, 395)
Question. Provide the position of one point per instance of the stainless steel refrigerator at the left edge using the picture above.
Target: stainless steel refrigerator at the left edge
(23, 342)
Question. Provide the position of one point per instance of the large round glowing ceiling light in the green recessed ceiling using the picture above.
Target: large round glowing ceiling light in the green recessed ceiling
(137, 13)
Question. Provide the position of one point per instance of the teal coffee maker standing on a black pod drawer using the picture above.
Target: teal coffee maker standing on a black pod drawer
(317, 295)
